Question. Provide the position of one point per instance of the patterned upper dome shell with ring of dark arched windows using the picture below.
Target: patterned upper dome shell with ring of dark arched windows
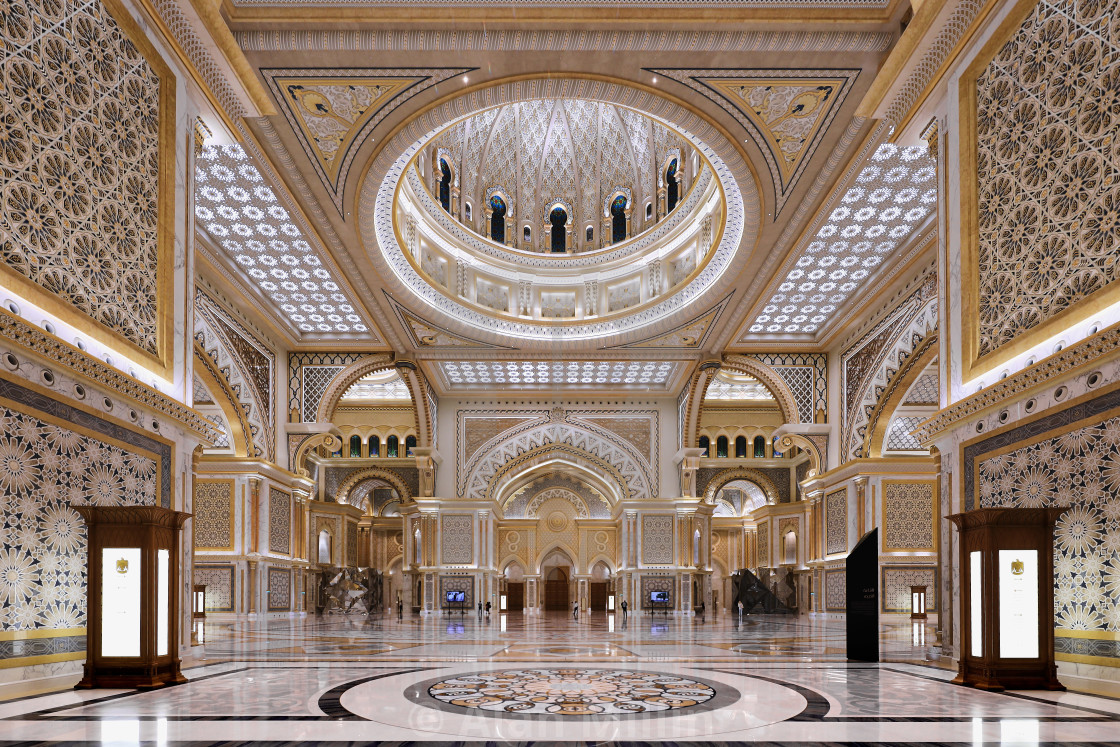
(559, 176)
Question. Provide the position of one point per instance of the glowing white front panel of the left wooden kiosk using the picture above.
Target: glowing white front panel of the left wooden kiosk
(120, 602)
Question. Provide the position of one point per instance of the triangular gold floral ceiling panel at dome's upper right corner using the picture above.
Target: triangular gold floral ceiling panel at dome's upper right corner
(787, 113)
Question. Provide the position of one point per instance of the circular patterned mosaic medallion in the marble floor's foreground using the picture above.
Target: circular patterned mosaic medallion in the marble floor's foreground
(572, 694)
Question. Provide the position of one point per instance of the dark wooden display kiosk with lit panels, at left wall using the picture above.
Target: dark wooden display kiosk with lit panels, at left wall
(133, 615)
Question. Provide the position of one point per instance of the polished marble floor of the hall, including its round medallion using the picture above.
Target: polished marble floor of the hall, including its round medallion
(516, 679)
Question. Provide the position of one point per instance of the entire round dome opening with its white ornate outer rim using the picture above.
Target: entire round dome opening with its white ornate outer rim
(558, 217)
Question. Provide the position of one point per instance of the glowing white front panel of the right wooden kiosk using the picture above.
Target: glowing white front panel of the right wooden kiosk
(1019, 604)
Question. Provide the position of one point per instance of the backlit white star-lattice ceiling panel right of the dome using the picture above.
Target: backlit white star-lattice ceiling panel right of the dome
(893, 194)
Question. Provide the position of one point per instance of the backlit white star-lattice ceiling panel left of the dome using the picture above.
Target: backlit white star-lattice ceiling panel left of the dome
(241, 214)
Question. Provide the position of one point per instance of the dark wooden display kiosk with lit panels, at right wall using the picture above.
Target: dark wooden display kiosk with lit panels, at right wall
(1007, 599)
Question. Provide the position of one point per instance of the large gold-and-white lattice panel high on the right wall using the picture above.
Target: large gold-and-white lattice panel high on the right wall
(1047, 161)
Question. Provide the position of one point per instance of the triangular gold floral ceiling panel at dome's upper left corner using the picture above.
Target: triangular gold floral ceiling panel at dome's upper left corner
(333, 111)
